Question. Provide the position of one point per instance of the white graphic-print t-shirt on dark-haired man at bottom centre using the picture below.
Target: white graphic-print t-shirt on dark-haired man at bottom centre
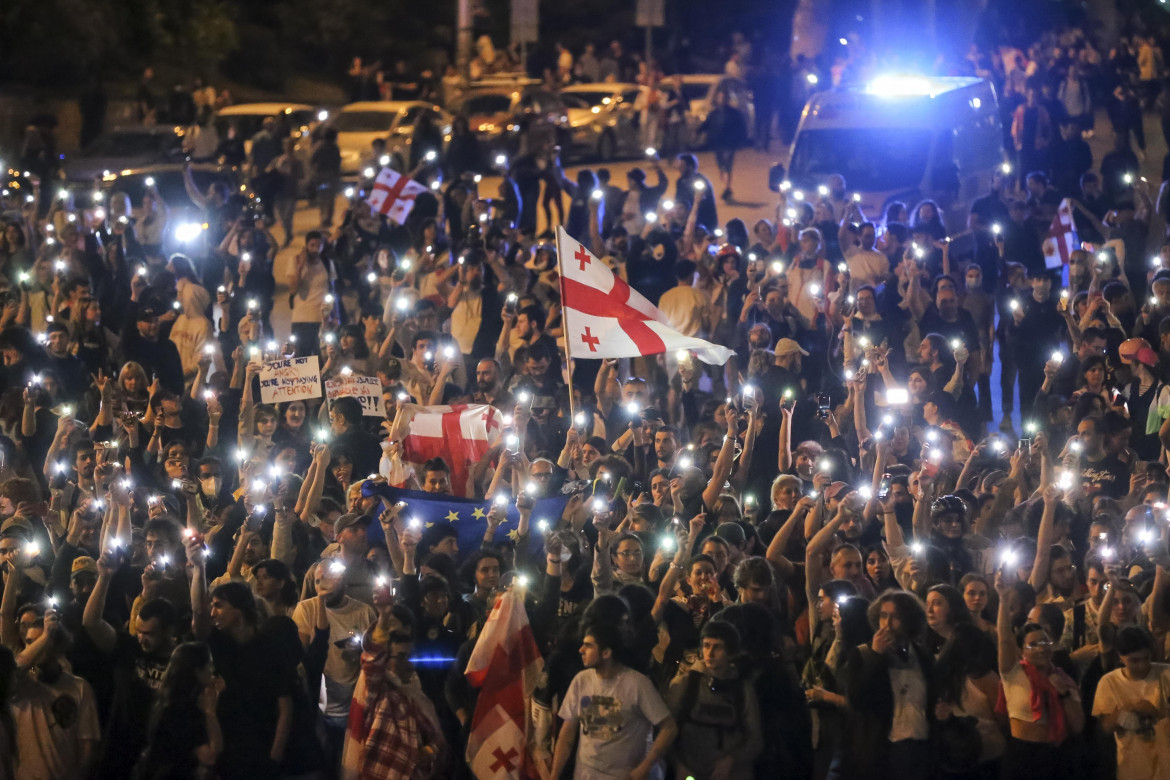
(616, 719)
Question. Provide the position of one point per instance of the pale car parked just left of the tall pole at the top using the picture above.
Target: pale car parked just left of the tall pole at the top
(359, 125)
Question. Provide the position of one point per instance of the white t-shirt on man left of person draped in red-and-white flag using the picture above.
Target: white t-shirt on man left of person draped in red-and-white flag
(343, 665)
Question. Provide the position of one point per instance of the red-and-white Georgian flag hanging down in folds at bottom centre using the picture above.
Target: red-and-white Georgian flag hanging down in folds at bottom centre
(505, 666)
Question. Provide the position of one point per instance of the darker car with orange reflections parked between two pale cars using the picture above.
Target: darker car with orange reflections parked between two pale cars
(497, 115)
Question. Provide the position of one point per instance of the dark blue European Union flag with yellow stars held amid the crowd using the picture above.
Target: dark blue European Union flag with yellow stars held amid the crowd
(469, 517)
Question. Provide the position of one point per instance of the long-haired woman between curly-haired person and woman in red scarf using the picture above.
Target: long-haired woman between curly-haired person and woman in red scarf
(968, 688)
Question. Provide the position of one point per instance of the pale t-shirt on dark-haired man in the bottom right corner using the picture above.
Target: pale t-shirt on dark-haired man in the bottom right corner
(1139, 756)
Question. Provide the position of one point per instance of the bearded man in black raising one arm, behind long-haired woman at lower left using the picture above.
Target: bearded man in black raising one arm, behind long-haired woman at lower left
(139, 666)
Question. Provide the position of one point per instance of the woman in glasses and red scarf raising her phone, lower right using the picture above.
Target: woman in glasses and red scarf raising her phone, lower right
(1042, 702)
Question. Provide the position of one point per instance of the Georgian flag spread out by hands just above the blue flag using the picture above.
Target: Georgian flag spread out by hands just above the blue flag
(459, 434)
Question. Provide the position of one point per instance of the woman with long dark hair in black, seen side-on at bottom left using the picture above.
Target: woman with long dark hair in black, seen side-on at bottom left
(185, 740)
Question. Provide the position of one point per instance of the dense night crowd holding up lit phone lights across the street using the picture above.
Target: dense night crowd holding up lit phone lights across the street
(827, 560)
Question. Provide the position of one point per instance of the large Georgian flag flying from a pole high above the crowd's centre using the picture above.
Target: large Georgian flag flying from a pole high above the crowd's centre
(605, 319)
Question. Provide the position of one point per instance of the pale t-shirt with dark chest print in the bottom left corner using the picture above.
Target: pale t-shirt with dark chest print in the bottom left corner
(52, 723)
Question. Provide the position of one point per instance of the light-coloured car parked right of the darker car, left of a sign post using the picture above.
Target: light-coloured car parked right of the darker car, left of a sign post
(603, 121)
